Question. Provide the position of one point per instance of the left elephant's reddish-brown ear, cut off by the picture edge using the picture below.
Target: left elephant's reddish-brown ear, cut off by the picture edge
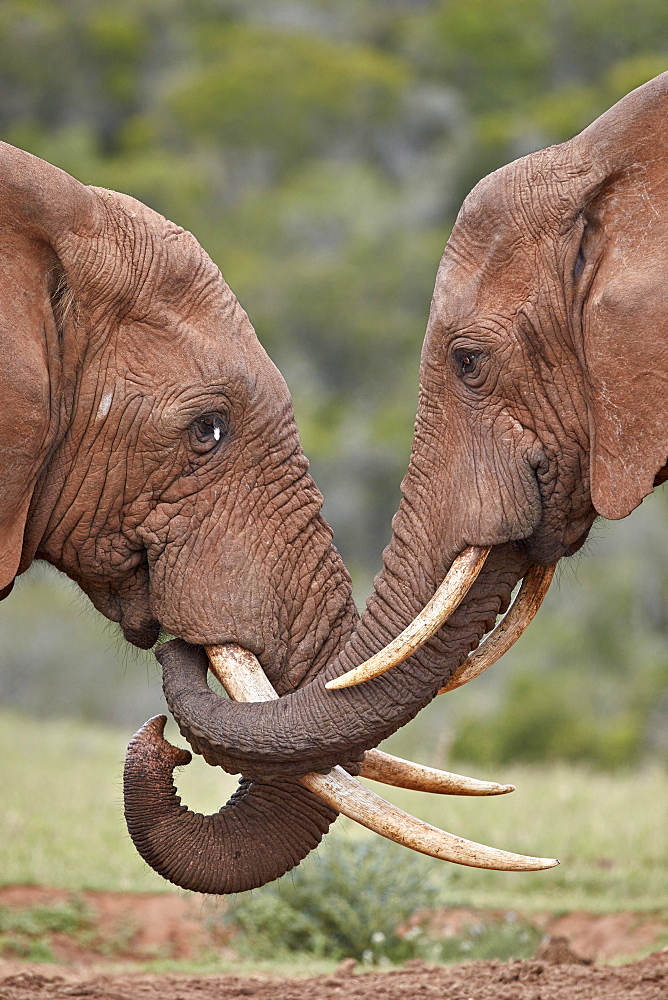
(41, 210)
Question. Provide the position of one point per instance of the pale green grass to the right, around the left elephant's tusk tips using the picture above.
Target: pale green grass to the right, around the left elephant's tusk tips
(607, 830)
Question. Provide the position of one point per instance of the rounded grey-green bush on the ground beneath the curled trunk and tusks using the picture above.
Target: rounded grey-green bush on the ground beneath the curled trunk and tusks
(352, 899)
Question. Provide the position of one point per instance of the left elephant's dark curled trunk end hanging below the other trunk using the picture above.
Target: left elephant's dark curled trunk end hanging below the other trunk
(261, 833)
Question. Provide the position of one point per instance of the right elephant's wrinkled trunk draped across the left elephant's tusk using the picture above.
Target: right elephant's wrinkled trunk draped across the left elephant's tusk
(312, 729)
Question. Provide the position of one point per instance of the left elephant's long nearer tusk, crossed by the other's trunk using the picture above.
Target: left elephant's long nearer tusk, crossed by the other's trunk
(241, 675)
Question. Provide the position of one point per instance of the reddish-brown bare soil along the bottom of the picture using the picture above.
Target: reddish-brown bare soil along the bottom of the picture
(143, 926)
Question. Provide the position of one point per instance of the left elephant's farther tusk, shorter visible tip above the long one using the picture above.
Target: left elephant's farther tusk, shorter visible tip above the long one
(380, 766)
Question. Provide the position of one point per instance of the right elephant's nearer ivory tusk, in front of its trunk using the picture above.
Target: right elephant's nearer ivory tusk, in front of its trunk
(445, 601)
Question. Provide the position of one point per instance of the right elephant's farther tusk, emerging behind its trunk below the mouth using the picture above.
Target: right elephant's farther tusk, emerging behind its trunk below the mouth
(535, 586)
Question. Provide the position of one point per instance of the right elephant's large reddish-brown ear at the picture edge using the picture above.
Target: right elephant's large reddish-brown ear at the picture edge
(625, 316)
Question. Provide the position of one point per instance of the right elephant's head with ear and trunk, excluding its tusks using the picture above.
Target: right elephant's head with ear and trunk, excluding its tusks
(543, 391)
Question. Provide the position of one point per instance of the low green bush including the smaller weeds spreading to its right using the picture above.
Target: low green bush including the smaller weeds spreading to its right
(371, 901)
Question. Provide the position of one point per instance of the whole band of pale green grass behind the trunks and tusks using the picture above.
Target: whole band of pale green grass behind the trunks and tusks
(62, 824)
